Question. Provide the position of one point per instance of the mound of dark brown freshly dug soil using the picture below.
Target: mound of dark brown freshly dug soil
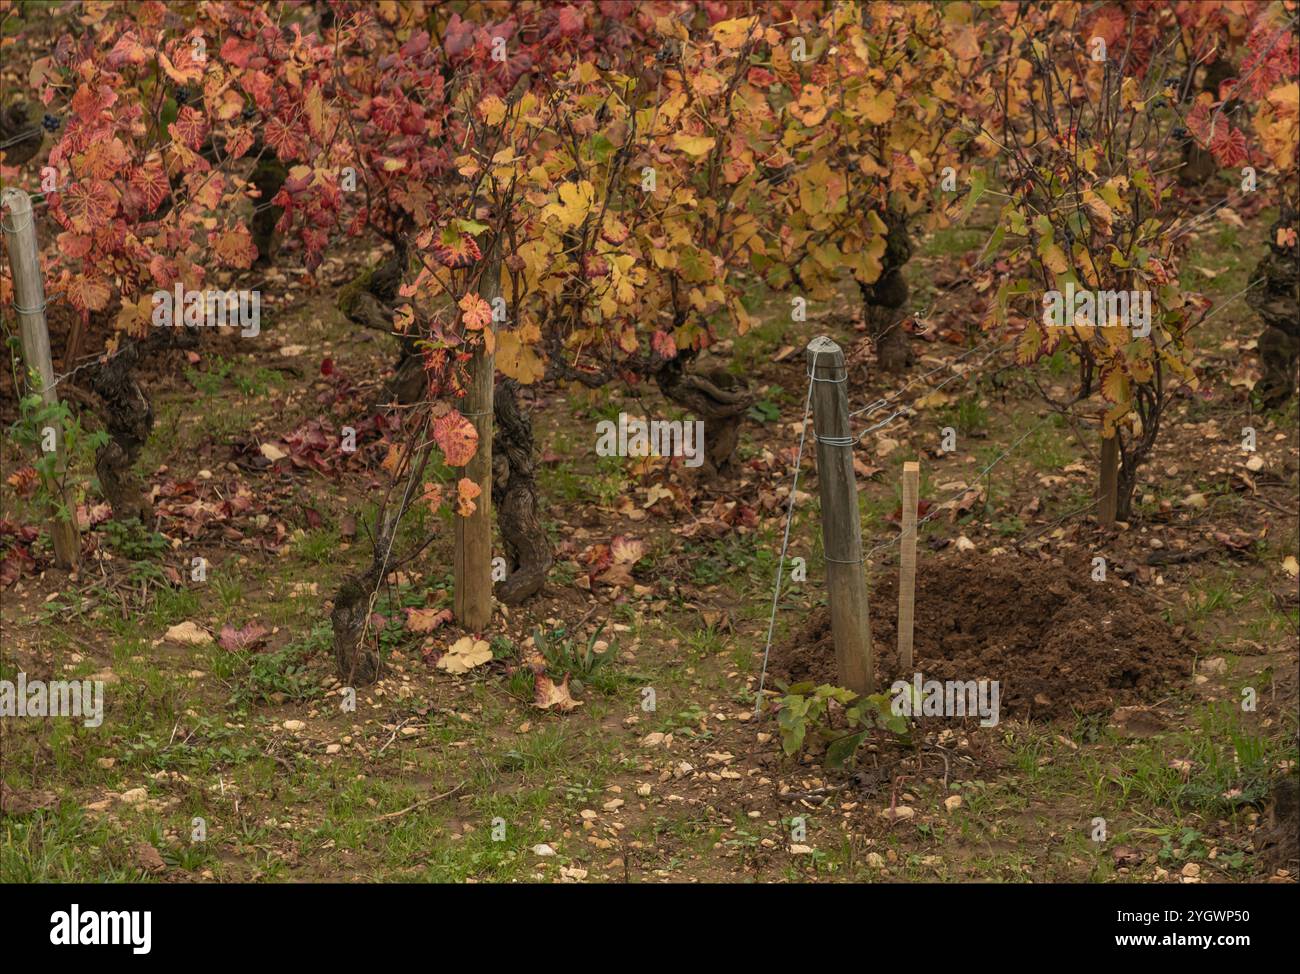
(1058, 642)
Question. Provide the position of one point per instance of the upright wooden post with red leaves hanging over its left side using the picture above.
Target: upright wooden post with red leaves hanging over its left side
(474, 534)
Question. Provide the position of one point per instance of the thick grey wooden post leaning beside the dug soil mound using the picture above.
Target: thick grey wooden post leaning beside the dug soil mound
(842, 527)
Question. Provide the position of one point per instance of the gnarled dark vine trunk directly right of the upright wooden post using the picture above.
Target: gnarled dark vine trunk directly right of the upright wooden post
(528, 551)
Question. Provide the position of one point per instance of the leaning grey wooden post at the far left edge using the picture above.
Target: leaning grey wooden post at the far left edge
(29, 302)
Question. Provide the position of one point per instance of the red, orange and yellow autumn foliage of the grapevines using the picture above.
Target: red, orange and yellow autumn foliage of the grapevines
(634, 170)
